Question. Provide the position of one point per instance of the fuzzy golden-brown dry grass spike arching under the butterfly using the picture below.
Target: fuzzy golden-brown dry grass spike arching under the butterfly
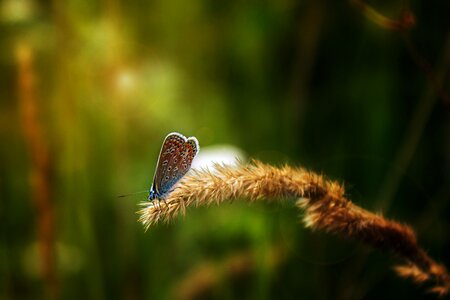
(325, 208)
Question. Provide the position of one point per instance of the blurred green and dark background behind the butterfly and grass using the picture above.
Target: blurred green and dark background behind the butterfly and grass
(89, 89)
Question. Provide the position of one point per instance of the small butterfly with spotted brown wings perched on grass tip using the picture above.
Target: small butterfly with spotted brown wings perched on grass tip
(175, 159)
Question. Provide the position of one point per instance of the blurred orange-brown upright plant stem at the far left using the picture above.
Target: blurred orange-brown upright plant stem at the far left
(39, 166)
